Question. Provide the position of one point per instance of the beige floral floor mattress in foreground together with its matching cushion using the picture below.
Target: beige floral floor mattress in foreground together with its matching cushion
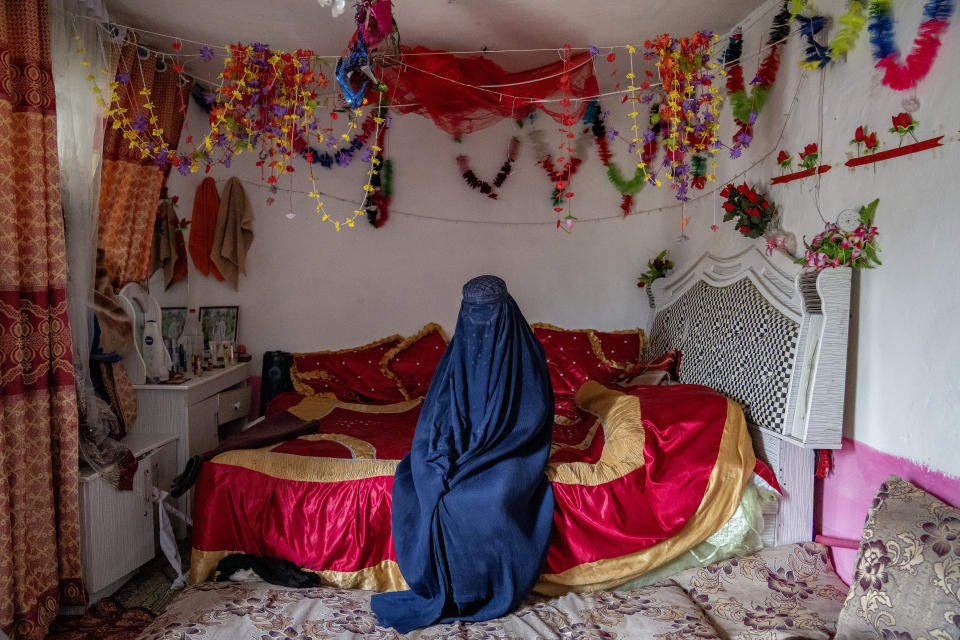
(906, 585)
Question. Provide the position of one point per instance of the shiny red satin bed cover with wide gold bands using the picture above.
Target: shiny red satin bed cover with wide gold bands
(651, 473)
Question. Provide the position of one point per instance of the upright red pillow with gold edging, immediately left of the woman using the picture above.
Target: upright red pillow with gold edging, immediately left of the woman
(412, 362)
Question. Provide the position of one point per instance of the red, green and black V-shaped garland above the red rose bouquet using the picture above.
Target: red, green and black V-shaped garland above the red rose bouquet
(745, 107)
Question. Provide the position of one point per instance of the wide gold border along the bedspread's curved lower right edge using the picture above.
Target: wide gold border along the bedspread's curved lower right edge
(735, 463)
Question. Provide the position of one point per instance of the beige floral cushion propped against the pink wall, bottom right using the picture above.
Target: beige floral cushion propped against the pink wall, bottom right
(907, 581)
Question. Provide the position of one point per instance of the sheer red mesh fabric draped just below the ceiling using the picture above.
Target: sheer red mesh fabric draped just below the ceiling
(422, 82)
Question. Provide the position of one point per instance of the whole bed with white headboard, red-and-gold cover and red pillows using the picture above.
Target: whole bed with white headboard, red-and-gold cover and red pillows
(643, 474)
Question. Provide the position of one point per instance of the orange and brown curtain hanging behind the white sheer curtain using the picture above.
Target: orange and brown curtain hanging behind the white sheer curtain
(130, 184)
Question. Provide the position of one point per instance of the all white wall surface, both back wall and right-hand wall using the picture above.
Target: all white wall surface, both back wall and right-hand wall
(309, 287)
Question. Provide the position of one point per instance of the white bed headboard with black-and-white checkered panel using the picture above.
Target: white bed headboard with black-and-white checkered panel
(774, 339)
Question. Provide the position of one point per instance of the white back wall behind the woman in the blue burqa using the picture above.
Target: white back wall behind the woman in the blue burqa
(309, 287)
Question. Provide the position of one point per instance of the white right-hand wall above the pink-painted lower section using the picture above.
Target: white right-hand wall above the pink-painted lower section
(904, 395)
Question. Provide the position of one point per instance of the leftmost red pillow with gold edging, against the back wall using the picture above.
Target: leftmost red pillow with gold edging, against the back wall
(353, 375)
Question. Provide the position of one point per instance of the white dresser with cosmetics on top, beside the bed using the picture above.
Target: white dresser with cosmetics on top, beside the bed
(193, 411)
